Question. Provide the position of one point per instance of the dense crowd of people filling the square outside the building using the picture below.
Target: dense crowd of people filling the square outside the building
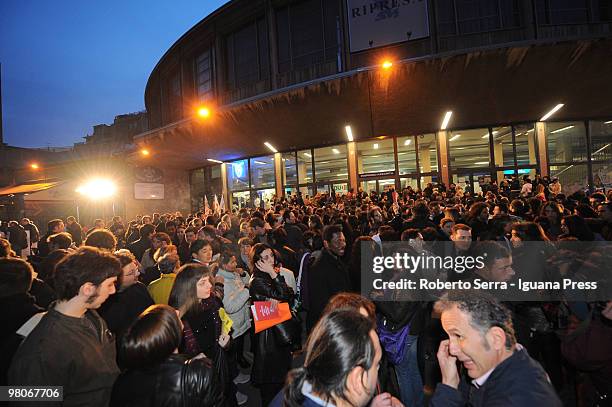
(157, 310)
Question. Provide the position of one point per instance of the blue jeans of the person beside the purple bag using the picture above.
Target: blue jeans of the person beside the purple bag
(408, 375)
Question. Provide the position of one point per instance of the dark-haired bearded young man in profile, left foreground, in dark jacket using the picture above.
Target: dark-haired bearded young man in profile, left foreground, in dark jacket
(71, 346)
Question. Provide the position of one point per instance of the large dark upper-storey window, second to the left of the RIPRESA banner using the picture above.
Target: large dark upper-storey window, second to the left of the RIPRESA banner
(247, 55)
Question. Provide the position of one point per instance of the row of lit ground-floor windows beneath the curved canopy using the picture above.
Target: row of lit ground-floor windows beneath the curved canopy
(579, 154)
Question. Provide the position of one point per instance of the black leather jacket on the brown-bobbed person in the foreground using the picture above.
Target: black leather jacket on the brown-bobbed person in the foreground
(177, 381)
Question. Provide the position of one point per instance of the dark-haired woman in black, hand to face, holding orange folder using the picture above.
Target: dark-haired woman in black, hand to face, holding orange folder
(272, 359)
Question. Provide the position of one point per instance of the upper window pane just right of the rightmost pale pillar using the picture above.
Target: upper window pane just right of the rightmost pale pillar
(566, 142)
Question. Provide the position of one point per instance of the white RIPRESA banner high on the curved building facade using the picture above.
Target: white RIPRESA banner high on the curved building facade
(375, 23)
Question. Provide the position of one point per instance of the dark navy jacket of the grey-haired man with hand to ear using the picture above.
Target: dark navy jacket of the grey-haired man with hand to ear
(516, 382)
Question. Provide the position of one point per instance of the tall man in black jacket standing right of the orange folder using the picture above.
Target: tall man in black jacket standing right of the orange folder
(328, 276)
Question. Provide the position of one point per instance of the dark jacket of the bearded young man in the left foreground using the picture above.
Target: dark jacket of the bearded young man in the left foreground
(77, 353)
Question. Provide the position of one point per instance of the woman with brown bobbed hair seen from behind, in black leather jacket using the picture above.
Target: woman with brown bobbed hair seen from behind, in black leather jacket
(155, 374)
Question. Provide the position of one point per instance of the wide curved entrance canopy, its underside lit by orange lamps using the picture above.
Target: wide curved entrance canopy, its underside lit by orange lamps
(487, 87)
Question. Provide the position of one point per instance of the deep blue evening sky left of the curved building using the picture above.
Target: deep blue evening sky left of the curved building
(70, 64)
